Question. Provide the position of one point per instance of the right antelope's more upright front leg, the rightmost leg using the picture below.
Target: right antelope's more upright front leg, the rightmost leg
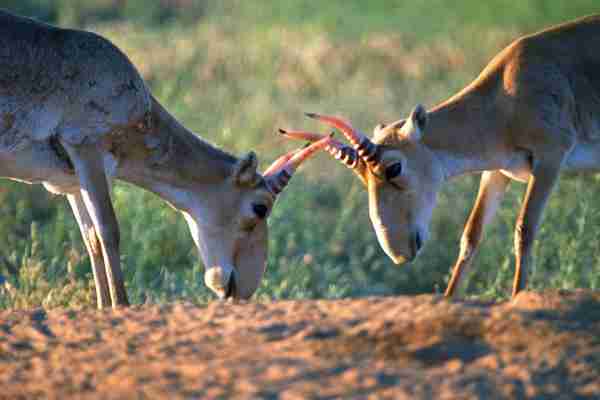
(543, 179)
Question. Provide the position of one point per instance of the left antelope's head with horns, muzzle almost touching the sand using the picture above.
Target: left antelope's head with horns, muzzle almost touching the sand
(230, 227)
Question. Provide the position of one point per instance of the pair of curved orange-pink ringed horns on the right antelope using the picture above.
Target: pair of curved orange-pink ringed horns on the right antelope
(362, 148)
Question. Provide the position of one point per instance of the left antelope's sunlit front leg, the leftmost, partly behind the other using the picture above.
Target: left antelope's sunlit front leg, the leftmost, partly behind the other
(92, 244)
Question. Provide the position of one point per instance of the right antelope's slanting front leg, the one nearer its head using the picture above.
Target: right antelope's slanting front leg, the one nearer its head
(491, 191)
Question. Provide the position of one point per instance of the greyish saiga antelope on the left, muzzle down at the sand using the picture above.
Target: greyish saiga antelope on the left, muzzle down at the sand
(75, 114)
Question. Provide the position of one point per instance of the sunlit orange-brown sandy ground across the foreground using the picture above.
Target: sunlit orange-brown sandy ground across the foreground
(541, 345)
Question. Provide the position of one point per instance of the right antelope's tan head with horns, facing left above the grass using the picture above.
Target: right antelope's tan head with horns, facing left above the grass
(400, 173)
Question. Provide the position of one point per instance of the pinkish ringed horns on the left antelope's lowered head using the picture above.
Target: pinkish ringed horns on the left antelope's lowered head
(278, 175)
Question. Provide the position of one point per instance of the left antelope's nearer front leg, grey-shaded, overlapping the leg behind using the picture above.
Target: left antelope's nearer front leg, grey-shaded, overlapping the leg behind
(95, 193)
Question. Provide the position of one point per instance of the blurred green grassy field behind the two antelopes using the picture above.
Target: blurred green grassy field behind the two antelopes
(233, 72)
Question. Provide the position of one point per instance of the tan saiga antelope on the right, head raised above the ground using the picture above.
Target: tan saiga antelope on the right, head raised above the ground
(533, 111)
